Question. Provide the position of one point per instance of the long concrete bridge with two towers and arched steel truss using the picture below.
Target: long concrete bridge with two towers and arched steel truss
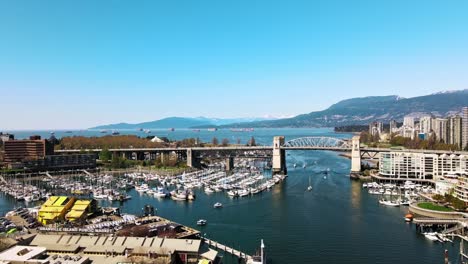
(276, 152)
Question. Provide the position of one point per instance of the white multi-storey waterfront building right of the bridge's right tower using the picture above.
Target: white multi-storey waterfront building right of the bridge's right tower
(422, 166)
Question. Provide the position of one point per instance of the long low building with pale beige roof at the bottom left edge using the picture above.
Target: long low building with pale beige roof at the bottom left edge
(106, 249)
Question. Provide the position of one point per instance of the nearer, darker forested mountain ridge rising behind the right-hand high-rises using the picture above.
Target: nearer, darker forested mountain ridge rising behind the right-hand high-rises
(362, 111)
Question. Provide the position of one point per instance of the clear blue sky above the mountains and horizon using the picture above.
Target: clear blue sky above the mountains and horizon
(76, 64)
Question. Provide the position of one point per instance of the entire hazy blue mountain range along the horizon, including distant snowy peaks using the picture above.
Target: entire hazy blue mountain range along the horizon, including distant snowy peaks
(355, 111)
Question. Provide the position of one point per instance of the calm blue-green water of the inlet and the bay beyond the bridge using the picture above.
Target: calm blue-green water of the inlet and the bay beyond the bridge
(338, 222)
